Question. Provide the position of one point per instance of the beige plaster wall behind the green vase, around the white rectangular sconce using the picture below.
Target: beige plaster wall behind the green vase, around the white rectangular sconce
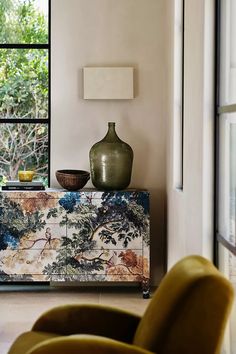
(113, 33)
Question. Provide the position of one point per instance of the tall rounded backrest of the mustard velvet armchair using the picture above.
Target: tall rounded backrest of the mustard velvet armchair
(189, 310)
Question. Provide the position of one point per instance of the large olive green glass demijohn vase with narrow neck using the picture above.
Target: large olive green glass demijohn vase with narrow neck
(111, 162)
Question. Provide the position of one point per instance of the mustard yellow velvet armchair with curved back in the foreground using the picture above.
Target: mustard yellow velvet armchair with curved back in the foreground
(186, 315)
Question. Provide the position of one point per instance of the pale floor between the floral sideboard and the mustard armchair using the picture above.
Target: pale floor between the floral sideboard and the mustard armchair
(20, 305)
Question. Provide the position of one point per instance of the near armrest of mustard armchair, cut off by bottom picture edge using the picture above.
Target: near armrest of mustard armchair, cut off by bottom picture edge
(85, 345)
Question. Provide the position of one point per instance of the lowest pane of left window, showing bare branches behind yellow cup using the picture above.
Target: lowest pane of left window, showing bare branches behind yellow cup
(23, 146)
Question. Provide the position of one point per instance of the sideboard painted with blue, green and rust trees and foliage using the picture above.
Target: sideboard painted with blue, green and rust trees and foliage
(56, 235)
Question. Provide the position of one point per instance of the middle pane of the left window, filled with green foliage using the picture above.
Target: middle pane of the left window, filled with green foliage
(23, 83)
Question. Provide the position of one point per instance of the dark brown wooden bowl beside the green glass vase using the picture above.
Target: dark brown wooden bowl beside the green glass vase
(72, 180)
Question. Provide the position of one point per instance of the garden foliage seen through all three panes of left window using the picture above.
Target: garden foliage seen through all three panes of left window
(23, 88)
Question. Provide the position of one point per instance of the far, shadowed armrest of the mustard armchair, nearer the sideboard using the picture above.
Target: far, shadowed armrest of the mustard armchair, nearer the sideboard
(89, 319)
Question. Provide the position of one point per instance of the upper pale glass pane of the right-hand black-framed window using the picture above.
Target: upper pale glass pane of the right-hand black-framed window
(228, 52)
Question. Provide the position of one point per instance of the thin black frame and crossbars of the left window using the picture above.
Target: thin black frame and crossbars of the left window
(47, 121)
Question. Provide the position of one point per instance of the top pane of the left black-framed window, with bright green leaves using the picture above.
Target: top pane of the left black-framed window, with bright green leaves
(24, 21)
